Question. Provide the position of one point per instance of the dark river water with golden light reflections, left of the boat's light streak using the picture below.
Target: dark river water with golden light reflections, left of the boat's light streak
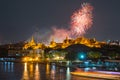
(36, 71)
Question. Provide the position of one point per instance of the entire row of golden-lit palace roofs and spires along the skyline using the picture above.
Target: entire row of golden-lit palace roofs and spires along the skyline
(67, 42)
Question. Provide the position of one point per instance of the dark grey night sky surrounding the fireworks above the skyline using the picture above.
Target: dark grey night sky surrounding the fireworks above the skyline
(20, 19)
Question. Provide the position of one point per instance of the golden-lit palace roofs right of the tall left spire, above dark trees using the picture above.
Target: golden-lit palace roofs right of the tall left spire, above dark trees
(80, 40)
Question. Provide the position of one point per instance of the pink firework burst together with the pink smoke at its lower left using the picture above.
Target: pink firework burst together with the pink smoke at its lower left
(81, 21)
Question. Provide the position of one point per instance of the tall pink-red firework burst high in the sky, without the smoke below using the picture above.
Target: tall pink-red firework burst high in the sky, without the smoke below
(81, 20)
